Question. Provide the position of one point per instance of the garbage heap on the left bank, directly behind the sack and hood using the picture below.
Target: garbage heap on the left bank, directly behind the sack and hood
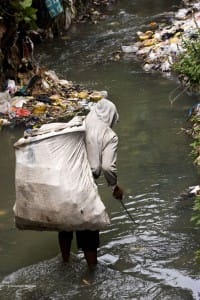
(44, 99)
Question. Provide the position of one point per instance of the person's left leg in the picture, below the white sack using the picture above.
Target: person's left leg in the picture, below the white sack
(65, 240)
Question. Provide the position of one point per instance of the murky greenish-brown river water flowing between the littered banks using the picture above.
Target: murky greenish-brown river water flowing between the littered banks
(153, 258)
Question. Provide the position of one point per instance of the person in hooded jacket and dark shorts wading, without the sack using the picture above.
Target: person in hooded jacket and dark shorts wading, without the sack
(101, 145)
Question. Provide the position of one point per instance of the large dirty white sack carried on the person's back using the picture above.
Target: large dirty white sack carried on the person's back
(55, 189)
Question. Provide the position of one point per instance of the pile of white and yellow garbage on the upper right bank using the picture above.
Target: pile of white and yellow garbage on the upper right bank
(159, 46)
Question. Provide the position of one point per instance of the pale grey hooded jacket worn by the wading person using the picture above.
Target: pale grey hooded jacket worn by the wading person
(102, 141)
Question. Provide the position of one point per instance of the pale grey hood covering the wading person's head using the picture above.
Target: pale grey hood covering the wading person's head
(106, 111)
